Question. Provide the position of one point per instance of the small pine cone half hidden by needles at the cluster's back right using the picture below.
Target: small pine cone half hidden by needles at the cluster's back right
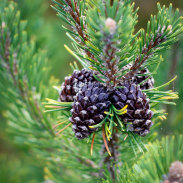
(137, 79)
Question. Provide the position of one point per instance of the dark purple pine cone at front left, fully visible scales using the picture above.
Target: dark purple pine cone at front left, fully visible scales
(88, 108)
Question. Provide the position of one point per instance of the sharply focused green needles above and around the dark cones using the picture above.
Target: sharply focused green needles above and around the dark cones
(106, 42)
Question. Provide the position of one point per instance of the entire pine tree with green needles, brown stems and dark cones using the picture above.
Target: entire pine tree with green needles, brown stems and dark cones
(108, 104)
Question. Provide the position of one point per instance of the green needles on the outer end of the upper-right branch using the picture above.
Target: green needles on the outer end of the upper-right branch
(163, 29)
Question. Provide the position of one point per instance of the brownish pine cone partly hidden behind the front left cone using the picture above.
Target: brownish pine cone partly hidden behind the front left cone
(74, 83)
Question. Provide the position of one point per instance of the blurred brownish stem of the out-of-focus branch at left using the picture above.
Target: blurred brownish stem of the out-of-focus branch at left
(21, 86)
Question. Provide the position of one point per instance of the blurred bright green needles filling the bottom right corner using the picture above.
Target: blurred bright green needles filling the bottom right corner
(157, 160)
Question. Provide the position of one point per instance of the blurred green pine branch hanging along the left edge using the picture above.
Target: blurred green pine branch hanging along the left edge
(14, 74)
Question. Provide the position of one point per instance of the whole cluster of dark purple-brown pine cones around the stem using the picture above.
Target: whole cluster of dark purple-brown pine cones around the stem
(91, 99)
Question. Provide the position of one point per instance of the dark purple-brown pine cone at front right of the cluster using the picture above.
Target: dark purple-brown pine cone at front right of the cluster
(138, 111)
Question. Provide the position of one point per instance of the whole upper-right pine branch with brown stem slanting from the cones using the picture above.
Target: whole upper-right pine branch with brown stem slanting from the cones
(162, 31)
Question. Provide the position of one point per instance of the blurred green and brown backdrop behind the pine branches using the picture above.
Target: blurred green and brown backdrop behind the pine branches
(16, 163)
